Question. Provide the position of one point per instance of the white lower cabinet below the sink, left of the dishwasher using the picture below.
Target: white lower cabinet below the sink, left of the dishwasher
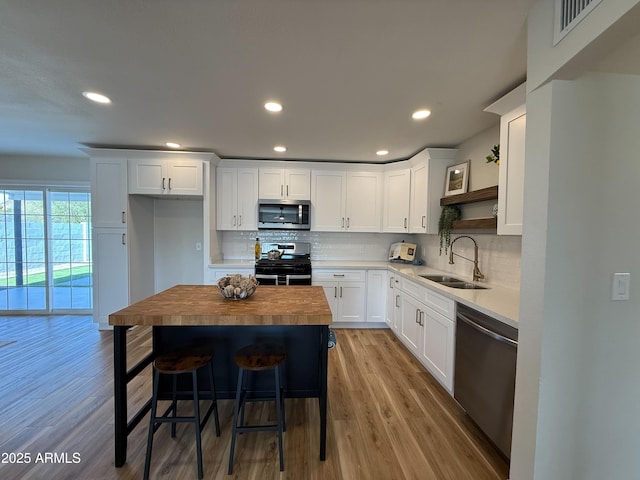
(424, 322)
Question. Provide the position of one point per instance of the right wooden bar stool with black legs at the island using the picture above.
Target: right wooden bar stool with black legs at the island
(254, 358)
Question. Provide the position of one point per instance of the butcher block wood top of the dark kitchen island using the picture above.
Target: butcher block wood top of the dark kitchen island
(204, 305)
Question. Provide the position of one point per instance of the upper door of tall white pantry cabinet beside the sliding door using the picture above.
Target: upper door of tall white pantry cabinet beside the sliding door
(109, 192)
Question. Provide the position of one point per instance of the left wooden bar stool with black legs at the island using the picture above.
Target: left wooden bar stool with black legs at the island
(174, 364)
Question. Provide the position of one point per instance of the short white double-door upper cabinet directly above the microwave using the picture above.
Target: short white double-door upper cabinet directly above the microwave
(284, 183)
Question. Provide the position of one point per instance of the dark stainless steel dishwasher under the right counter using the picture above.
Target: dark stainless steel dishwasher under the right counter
(485, 373)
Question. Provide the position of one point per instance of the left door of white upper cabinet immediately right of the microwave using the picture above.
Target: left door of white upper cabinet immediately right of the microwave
(328, 191)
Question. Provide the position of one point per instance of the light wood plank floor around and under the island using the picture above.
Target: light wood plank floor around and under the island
(387, 417)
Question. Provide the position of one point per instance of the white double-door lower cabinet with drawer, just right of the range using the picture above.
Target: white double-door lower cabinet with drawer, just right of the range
(346, 293)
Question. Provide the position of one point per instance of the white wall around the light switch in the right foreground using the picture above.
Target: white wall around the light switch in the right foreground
(576, 411)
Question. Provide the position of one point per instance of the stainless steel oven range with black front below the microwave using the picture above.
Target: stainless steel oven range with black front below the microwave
(284, 264)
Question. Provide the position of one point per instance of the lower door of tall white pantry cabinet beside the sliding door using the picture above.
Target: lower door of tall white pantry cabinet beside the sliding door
(110, 272)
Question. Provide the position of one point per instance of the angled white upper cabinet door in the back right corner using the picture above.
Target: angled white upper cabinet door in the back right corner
(396, 201)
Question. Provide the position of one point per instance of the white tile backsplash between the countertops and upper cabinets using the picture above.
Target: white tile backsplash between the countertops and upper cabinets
(499, 256)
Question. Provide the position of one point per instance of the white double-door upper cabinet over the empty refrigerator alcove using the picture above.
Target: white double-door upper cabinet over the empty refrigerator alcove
(165, 177)
